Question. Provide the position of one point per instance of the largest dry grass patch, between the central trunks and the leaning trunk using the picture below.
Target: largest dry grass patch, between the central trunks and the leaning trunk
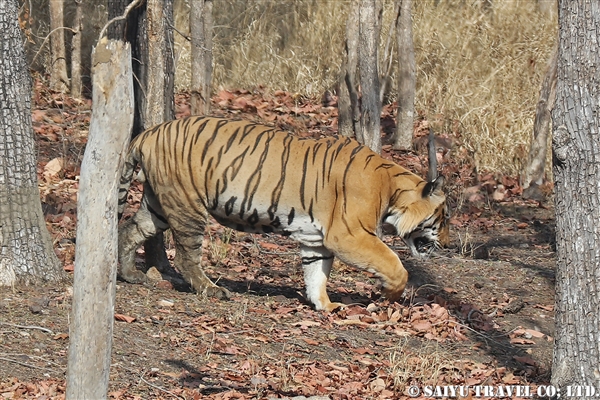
(480, 74)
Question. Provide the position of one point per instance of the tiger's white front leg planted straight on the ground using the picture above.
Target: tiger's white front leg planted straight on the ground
(317, 262)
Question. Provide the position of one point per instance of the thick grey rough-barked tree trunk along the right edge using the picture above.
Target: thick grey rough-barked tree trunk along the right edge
(576, 167)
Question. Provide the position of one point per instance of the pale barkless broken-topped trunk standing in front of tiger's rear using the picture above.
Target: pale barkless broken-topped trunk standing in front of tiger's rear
(96, 252)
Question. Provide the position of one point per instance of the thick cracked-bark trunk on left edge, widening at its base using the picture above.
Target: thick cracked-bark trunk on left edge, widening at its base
(26, 253)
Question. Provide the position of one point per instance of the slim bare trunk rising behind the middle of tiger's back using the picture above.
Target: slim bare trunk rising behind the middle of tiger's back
(201, 32)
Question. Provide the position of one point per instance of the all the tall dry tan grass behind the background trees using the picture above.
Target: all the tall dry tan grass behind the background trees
(479, 69)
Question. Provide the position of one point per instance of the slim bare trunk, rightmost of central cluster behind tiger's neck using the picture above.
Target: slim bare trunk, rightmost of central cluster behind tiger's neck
(406, 79)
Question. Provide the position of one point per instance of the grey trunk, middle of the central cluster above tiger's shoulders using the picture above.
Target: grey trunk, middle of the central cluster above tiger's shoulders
(369, 76)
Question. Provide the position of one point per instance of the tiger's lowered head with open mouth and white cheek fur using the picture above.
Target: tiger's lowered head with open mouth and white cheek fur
(422, 219)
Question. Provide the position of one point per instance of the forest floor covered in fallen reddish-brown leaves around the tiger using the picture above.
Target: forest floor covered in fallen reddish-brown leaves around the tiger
(479, 313)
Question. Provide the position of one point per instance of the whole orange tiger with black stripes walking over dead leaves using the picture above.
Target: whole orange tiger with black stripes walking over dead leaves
(332, 195)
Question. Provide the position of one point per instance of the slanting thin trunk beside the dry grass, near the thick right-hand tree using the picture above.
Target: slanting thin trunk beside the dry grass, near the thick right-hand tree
(536, 161)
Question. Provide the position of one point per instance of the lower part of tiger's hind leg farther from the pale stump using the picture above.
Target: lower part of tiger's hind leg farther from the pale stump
(188, 237)
